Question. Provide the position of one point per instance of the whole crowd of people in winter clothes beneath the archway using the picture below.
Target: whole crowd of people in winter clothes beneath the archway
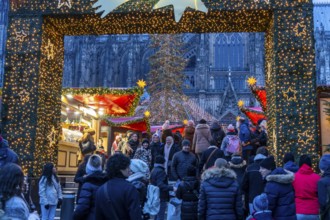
(208, 172)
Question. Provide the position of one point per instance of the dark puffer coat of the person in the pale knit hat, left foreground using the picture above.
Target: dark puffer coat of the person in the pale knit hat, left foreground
(85, 208)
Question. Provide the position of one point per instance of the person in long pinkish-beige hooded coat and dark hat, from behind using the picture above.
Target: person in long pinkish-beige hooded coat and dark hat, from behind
(202, 138)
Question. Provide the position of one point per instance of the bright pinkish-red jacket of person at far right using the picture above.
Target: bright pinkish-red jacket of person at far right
(305, 186)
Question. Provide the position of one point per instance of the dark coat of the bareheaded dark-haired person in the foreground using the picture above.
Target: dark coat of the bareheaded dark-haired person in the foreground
(117, 199)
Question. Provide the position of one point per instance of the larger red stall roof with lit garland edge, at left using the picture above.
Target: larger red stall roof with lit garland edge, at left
(114, 102)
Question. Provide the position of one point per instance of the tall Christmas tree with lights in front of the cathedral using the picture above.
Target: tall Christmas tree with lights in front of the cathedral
(166, 79)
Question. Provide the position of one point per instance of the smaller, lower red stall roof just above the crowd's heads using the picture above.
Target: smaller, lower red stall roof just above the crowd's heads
(131, 123)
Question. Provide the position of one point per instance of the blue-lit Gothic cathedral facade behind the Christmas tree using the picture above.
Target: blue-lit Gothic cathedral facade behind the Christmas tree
(218, 63)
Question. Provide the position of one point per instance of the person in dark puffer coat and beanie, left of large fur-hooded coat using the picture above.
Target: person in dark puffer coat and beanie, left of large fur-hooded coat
(188, 192)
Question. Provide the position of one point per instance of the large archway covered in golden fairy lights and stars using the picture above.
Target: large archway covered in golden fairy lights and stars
(35, 50)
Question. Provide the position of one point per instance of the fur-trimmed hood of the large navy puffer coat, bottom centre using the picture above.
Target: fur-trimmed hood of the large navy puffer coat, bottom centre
(219, 177)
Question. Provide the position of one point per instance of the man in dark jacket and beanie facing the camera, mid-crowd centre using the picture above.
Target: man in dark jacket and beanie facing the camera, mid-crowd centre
(182, 160)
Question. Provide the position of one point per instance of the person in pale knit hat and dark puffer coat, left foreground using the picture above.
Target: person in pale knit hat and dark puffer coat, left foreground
(85, 208)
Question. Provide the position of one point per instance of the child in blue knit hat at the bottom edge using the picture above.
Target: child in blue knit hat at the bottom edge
(260, 205)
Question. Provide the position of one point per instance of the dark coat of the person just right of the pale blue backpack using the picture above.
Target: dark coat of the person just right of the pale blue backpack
(158, 178)
